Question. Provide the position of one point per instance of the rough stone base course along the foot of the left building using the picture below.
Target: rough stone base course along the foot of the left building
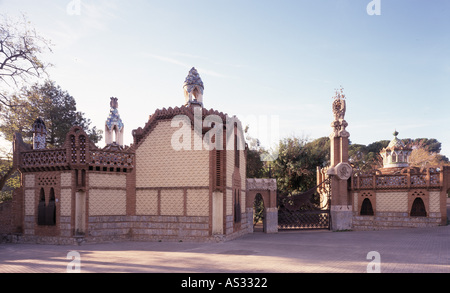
(135, 228)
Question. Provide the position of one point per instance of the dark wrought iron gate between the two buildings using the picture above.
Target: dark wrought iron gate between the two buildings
(308, 210)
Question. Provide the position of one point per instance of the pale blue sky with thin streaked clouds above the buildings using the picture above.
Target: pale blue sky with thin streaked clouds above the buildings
(275, 59)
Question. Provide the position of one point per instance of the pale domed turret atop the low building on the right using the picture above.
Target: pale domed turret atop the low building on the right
(396, 154)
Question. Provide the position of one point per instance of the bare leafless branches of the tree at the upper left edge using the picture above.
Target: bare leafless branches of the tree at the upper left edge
(20, 50)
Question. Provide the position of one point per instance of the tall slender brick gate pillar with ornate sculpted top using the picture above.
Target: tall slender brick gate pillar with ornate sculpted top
(341, 211)
